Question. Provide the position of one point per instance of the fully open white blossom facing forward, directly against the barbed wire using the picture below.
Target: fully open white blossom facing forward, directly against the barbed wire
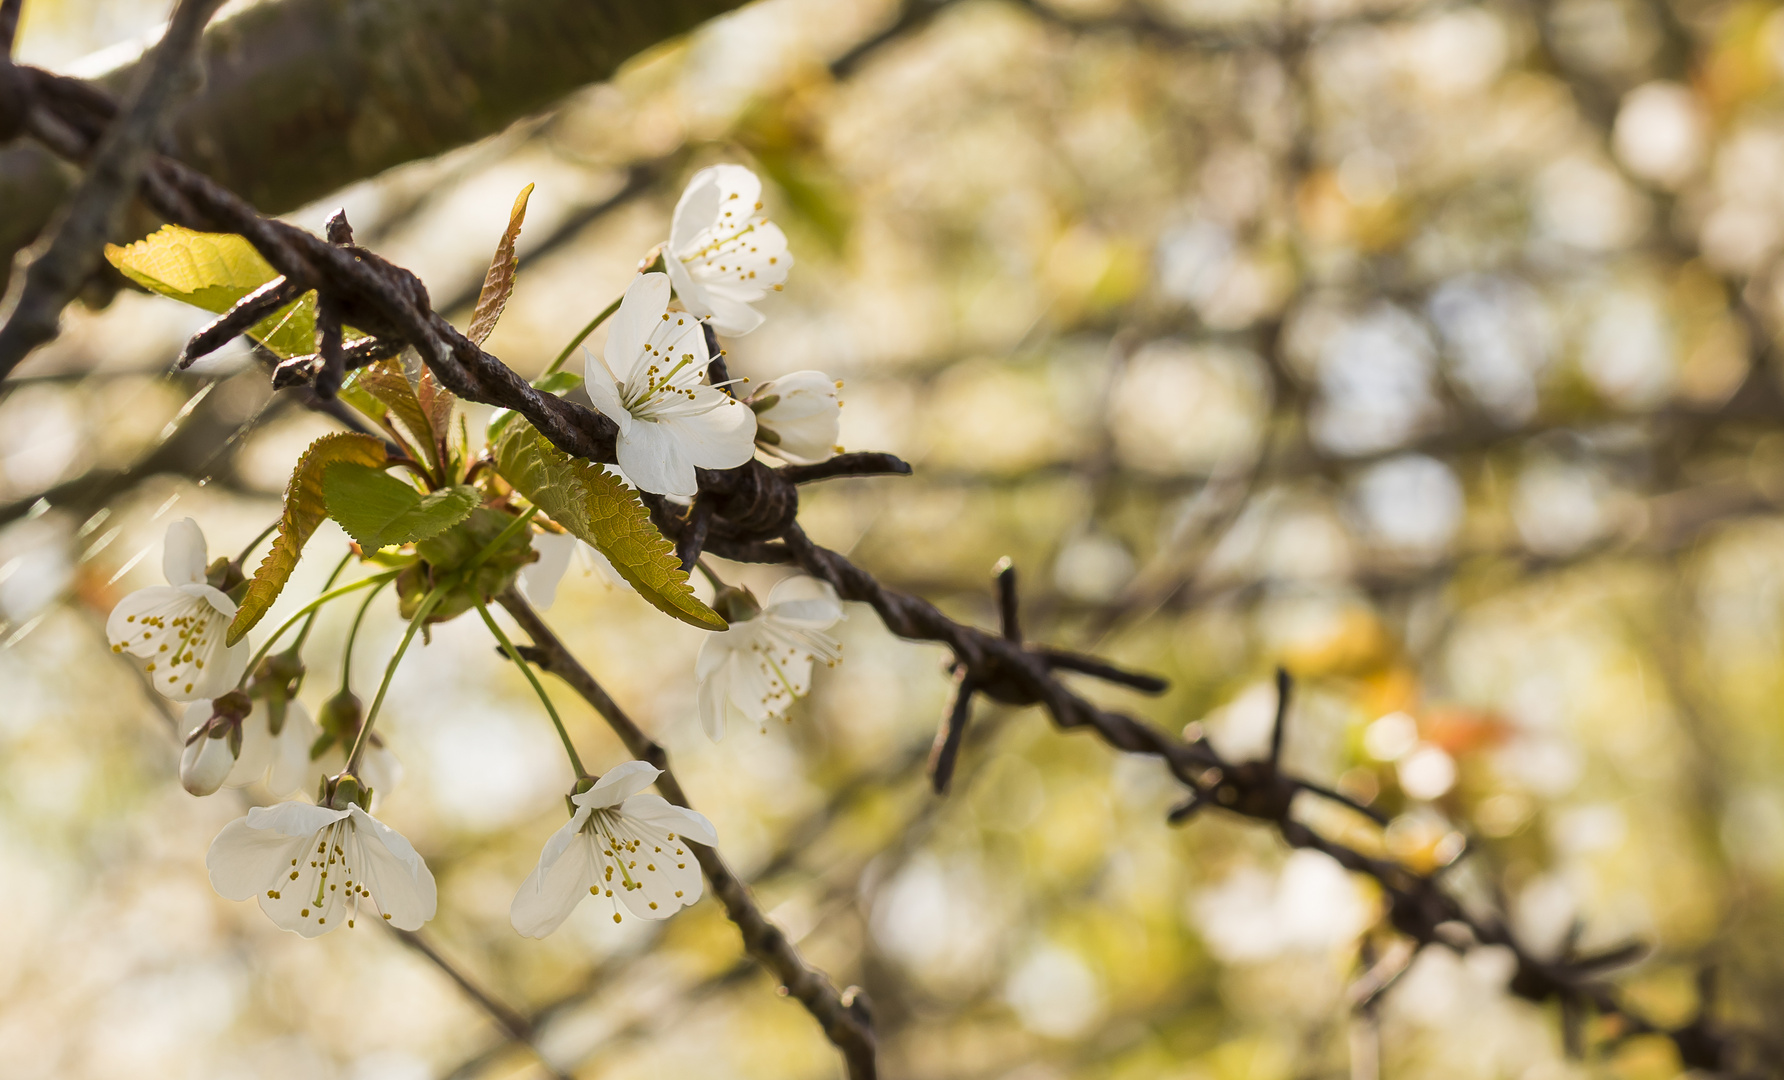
(650, 381)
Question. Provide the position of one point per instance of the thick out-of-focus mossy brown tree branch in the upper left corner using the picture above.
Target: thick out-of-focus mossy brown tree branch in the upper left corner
(304, 97)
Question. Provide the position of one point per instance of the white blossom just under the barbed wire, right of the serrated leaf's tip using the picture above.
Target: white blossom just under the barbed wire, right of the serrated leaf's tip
(764, 663)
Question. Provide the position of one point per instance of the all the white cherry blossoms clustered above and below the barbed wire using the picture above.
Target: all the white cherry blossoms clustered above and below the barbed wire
(327, 863)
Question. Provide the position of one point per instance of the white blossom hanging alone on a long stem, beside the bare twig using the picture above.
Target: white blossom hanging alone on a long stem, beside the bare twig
(622, 845)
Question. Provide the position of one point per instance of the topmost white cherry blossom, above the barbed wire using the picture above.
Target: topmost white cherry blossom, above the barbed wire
(722, 253)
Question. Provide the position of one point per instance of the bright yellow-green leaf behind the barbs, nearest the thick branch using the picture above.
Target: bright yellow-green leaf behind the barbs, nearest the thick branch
(213, 270)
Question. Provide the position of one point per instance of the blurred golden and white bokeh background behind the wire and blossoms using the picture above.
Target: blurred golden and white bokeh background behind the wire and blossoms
(1425, 349)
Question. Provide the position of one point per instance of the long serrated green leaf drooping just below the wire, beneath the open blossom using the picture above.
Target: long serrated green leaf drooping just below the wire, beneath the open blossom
(599, 508)
